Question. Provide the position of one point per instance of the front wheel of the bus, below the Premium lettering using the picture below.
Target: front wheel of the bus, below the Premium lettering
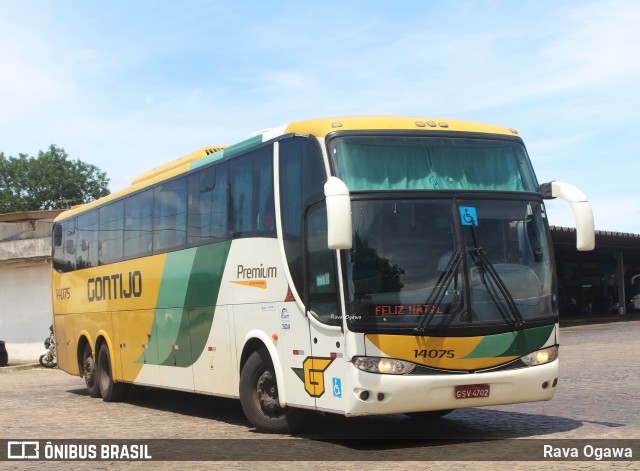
(259, 397)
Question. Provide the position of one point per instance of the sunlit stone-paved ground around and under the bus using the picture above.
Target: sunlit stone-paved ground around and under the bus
(597, 399)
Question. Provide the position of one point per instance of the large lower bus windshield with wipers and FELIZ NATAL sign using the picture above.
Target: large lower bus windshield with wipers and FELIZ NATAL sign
(448, 263)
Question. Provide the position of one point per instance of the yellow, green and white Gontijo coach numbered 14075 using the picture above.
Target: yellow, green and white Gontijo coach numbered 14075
(356, 265)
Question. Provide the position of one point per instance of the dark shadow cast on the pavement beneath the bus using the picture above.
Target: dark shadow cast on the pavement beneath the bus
(461, 424)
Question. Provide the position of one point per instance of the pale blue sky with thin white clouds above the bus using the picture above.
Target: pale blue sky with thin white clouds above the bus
(129, 85)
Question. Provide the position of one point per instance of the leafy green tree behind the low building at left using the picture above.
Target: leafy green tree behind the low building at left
(48, 181)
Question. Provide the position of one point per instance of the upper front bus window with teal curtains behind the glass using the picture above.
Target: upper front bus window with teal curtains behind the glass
(375, 162)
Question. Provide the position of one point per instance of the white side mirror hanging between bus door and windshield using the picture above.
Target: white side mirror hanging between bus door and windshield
(339, 234)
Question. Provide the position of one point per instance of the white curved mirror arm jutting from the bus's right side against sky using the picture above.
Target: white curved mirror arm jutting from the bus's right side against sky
(585, 232)
